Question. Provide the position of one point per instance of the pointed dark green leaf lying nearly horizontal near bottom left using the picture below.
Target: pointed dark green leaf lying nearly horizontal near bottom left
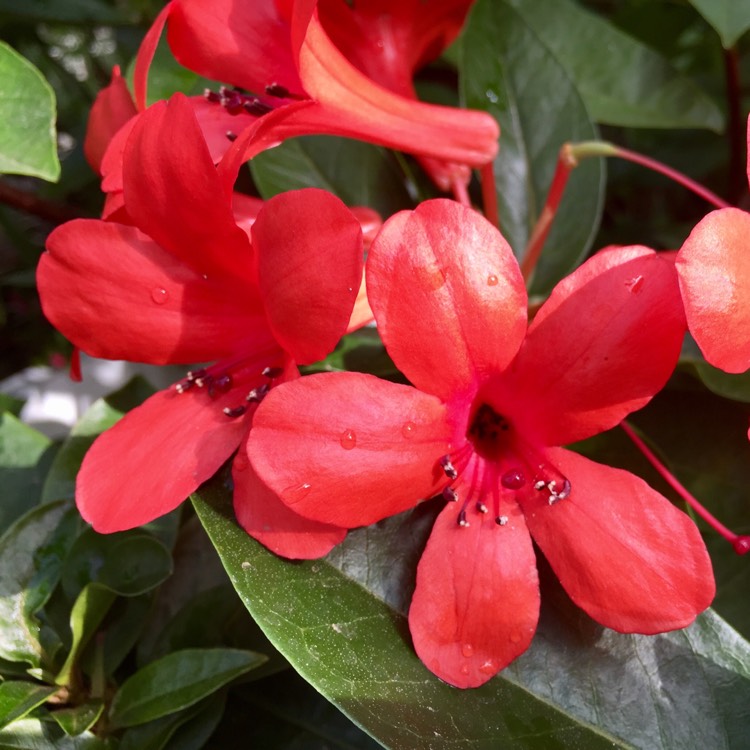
(177, 681)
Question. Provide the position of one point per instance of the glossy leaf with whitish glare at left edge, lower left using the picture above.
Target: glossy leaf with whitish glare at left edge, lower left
(19, 630)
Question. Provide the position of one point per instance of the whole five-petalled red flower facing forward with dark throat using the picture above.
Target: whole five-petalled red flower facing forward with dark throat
(490, 403)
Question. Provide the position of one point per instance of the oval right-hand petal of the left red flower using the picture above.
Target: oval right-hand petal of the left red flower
(309, 250)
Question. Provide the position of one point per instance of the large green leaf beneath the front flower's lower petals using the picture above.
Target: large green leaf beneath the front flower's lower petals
(340, 622)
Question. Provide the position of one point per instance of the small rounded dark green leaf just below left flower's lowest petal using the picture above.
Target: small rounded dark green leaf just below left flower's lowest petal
(128, 563)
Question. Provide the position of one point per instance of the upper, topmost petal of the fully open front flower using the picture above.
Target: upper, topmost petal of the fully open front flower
(448, 296)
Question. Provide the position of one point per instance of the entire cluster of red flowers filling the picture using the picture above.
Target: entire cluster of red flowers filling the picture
(182, 269)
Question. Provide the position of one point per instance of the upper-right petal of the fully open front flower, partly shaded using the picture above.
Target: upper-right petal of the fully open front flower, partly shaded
(603, 344)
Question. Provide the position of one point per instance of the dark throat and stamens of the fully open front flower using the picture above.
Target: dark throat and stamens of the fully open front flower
(493, 465)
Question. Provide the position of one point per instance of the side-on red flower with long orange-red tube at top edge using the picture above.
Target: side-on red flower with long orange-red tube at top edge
(353, 65)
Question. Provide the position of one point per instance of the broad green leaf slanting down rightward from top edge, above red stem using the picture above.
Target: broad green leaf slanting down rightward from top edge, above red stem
(622, 81)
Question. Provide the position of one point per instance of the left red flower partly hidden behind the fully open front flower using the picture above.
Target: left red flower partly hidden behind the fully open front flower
(185, 284)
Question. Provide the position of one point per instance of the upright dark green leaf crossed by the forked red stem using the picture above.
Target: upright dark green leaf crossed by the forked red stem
(507, 70)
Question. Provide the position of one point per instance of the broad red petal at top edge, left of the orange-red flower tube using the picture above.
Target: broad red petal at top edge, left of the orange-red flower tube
(243, 43)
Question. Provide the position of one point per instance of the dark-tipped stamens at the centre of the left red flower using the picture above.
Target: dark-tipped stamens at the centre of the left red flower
(222, 378)
